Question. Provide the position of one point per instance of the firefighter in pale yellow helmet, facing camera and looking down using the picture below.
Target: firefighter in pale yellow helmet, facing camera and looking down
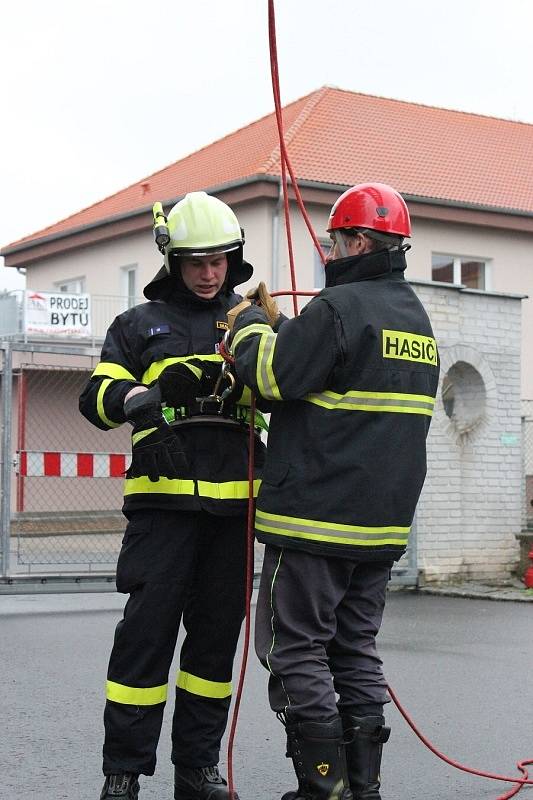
(185, 498)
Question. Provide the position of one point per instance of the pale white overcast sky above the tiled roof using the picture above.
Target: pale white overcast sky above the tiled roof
(95, 96)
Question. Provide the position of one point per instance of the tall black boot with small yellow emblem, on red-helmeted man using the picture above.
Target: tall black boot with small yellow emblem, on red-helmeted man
(317, 752)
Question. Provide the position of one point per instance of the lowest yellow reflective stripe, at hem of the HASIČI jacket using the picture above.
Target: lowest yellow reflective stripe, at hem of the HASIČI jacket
(319, 531)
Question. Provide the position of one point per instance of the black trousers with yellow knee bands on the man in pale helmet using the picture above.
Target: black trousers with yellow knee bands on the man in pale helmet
(175, 565)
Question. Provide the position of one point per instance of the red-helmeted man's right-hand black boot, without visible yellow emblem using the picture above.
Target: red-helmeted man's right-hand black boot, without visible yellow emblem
(364, 737)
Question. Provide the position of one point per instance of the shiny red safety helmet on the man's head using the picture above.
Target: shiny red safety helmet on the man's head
(372, 206)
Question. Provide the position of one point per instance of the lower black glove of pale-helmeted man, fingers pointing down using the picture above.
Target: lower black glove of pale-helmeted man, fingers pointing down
(158, 454)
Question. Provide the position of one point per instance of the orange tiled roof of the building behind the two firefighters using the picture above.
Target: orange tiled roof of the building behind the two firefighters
(339, 137)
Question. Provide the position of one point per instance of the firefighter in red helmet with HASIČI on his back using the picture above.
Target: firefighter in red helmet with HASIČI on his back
(353, 380)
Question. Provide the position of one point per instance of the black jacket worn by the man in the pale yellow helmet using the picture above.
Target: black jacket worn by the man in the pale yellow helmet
(140, 343)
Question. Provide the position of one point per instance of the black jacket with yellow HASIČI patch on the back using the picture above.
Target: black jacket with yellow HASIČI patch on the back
(355, 377)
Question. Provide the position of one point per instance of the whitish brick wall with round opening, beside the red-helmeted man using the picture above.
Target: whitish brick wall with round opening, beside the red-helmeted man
(471, 506)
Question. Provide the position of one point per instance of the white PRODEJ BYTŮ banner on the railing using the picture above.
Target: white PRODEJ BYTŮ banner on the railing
(57, 313)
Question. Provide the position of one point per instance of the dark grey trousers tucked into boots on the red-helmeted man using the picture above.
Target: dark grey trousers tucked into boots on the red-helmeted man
(316, 623)
